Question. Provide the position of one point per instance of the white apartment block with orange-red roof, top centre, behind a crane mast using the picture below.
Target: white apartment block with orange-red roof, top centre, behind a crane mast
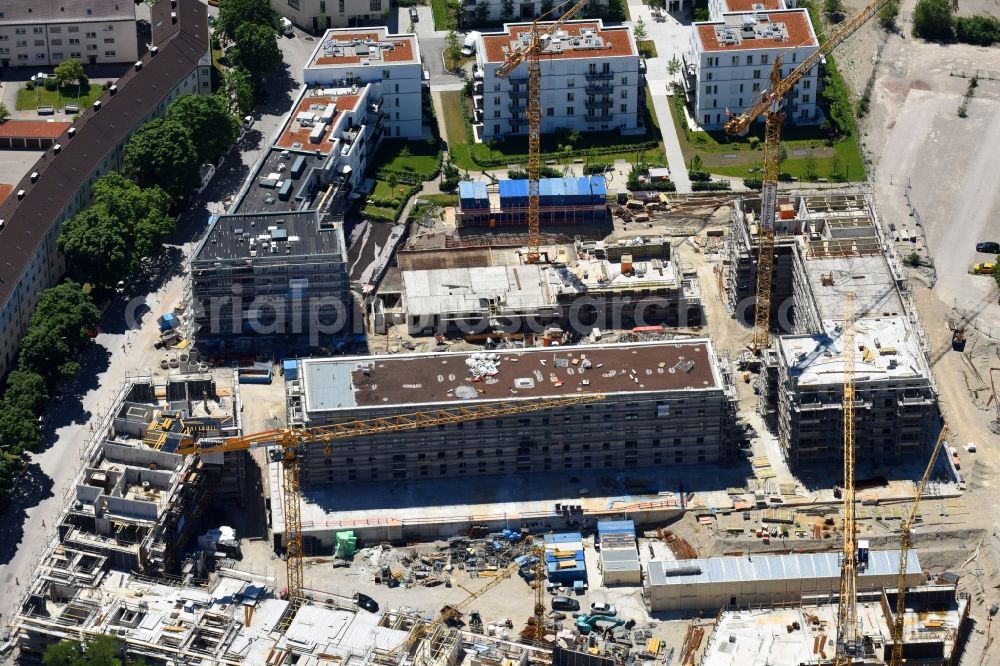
(591, 80)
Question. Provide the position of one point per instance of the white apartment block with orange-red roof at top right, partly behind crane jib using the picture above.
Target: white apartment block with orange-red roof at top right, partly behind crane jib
(731, 59)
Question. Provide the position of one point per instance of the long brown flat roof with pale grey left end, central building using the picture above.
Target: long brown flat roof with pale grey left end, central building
(413, 379)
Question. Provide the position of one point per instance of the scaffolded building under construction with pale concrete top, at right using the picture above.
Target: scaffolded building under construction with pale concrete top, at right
(828, 245)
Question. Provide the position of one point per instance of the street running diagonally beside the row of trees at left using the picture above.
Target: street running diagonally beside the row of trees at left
(124, 347)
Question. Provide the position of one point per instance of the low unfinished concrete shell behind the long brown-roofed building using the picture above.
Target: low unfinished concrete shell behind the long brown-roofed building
(591, 284)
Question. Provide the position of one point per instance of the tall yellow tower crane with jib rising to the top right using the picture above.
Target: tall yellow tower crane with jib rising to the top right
(770, 106)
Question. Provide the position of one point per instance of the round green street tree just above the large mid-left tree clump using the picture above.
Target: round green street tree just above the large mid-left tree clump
(162, 153)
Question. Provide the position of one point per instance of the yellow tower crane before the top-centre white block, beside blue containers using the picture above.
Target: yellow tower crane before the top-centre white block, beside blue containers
(532, 52)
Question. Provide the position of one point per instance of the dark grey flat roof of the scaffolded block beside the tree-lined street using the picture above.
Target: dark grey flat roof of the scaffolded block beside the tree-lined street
(268, 235)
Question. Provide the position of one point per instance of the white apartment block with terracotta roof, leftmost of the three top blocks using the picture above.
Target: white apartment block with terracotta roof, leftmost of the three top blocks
(391, 63)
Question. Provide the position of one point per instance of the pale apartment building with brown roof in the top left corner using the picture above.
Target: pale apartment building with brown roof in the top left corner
(43, 33)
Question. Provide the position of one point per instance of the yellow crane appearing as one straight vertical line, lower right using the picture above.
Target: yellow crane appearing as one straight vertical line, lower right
(848, 643)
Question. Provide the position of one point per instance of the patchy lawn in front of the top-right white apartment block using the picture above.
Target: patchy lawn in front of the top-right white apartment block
(734, 156)
